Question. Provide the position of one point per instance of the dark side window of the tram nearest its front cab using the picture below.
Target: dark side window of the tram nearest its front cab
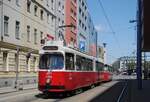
(70, 61)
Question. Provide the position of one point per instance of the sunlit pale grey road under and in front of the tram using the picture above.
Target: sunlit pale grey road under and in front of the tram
(90, 95)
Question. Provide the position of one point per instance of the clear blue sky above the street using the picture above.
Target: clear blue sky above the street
(119, 12)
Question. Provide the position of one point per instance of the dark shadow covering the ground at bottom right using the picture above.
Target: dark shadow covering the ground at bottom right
(131, 93)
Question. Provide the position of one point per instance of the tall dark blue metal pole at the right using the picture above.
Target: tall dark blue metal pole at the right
(139, 47)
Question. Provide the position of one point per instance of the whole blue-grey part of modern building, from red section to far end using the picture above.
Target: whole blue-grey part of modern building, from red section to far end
(86, 32)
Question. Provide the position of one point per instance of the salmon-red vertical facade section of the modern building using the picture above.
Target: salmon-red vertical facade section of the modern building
(71, 19)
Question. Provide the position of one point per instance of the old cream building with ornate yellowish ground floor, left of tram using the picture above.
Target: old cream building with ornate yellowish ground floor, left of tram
(23, 24)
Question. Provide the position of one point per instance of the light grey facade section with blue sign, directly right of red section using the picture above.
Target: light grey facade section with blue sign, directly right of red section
(82, 26)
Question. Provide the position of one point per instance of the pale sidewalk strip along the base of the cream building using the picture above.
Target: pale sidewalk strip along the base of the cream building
(12, 89)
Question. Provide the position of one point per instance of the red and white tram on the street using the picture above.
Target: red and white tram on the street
(64, 69)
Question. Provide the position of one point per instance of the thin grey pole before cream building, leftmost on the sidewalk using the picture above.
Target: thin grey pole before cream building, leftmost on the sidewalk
(17, 68)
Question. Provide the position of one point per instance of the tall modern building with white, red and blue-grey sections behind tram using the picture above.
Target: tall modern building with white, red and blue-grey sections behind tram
(83, 35)
